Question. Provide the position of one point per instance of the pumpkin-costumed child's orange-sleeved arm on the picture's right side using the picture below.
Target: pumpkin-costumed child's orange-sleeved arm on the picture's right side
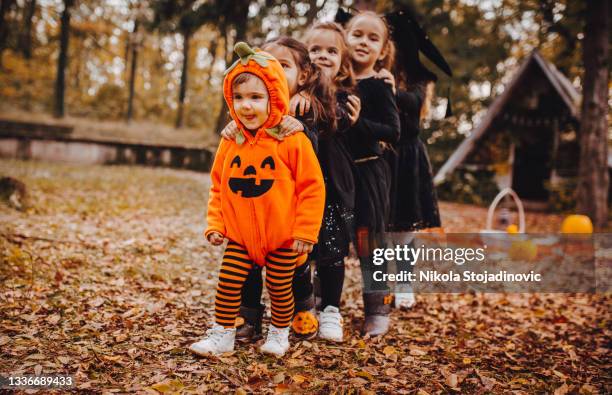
(309, 188)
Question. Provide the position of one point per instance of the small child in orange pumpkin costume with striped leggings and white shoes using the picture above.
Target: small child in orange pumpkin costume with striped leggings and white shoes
(267, 197)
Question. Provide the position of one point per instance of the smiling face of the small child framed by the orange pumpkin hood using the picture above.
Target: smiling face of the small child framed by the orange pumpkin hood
(250, 101)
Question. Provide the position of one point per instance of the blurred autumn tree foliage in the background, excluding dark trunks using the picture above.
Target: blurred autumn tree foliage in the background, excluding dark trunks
(482, 41)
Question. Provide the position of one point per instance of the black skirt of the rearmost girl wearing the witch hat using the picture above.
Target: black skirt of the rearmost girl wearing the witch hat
(414, 203)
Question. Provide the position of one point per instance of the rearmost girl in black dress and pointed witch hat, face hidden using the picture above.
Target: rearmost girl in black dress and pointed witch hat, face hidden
(414, 204)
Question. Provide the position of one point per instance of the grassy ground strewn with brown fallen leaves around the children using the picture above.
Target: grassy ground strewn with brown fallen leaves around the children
(106, 277)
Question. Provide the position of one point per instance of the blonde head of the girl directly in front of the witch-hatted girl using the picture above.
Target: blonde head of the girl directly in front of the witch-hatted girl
(366, 39)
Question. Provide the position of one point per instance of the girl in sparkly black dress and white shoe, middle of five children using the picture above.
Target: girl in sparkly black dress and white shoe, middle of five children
(328, 49)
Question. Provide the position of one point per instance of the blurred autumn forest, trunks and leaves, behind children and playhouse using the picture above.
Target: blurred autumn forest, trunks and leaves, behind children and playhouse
(158, 64)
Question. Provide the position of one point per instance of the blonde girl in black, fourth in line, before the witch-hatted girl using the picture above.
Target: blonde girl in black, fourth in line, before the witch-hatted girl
(371, 50)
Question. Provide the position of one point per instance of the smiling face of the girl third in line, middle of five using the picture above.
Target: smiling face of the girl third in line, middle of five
(324, 48)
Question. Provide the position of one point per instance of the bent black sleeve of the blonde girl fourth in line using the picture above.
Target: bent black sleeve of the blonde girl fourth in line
(387, 126)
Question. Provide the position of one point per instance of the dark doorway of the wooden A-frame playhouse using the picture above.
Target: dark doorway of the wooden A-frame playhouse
(532, 167)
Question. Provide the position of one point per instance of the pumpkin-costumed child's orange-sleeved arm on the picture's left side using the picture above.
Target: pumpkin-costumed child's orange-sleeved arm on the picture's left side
(214, 215)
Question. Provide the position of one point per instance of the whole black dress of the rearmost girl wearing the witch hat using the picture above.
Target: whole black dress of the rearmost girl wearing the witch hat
(414, 204)
